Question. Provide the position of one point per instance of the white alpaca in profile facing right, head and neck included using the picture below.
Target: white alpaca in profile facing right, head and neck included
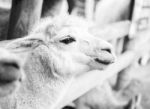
(58, 49)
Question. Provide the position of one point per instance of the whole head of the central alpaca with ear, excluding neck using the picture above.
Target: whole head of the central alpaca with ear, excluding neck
(71, 49)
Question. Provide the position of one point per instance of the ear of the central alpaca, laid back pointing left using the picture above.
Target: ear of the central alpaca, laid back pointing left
(23, 46)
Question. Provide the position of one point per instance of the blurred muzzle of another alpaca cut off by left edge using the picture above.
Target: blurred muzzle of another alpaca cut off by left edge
(11, 74)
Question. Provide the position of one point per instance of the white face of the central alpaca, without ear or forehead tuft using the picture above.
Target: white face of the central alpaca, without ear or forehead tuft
(75, 50)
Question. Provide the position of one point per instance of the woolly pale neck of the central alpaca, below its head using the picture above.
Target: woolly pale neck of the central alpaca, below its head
(41, 89)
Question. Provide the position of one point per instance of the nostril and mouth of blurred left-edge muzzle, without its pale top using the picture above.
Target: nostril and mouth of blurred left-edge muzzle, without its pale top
(10, 77)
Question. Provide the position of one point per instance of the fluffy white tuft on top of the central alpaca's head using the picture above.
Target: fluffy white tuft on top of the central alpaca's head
(50, 26)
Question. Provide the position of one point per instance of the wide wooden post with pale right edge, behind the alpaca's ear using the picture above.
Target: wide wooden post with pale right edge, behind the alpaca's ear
(24, 14)
